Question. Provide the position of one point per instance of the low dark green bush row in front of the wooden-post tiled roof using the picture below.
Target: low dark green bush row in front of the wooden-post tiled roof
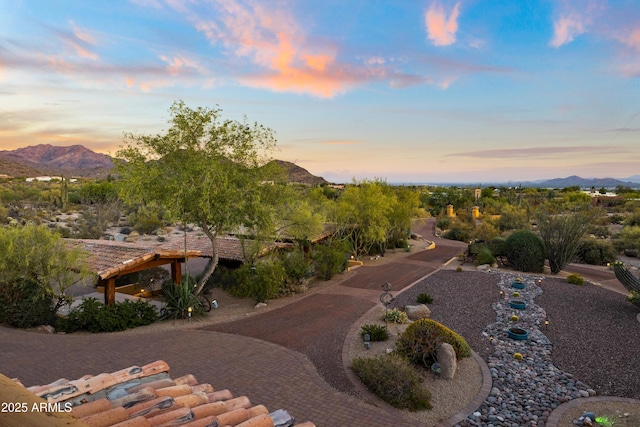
(93, 316)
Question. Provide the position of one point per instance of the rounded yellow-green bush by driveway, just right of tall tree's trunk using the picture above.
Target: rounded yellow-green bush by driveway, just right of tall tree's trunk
(261, 281)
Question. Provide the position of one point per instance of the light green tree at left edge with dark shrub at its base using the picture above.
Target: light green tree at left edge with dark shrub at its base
(36, 268)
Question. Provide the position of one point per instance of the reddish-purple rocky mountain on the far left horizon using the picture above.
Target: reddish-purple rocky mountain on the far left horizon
(46, 159)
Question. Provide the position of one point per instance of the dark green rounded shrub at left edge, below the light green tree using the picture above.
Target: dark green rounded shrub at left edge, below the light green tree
(25, 303)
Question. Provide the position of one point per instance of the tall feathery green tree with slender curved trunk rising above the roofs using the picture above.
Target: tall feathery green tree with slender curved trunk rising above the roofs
(204, 170)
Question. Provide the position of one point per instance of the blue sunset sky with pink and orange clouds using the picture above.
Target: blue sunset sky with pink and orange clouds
(404, 91)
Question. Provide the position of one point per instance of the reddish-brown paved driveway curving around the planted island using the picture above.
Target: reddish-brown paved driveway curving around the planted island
(287, 358)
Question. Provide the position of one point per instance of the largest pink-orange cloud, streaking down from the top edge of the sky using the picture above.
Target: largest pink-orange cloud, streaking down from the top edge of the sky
(271, 39)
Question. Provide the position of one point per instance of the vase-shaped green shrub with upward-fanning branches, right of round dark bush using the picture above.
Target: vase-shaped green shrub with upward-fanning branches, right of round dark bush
(562, 231)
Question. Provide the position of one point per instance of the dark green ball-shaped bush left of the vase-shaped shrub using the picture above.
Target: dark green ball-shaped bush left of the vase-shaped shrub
(525, 251)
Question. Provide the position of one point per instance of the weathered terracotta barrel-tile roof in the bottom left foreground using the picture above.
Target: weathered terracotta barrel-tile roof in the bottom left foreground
(143, 396)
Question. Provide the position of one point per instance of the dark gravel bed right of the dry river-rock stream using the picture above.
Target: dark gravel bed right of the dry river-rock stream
(595, 336)
